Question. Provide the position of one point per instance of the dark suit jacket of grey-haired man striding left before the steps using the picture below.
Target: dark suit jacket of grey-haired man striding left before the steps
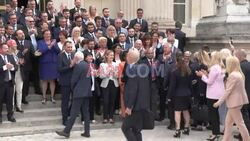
(81, 81)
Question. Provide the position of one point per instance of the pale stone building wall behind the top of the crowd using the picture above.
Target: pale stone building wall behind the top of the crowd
(154, 10)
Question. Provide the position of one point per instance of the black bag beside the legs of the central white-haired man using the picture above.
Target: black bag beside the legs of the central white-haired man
(148, 120)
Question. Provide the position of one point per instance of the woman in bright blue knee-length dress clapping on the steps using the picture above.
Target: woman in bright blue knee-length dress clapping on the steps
(48, 52)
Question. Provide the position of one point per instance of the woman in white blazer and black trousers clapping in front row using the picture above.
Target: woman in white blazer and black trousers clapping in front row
(109, 74)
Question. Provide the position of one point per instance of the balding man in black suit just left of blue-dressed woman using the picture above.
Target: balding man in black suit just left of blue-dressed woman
(26, 50)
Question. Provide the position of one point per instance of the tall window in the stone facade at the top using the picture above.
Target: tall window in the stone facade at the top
(181, 11)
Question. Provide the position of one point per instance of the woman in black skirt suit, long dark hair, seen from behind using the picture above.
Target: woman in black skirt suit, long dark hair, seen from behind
(180, 92)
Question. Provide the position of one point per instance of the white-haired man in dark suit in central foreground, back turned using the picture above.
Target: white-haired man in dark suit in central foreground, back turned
(137, 97)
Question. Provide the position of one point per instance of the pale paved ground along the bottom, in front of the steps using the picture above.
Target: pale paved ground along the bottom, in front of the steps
(158, 134)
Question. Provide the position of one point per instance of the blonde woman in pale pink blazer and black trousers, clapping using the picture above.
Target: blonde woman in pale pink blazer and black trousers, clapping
(215, 90)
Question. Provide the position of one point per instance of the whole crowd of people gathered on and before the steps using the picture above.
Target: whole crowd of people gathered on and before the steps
(114, 66)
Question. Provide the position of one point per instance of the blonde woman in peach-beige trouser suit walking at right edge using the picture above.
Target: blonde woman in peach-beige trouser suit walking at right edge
(235, 97)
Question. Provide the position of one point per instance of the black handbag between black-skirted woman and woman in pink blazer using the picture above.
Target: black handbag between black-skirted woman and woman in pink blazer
(199, 112)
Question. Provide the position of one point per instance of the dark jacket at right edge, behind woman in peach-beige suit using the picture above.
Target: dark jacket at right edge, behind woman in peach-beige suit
(245, 66)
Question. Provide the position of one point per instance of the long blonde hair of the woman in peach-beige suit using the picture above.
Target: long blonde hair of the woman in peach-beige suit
(233, 65)
